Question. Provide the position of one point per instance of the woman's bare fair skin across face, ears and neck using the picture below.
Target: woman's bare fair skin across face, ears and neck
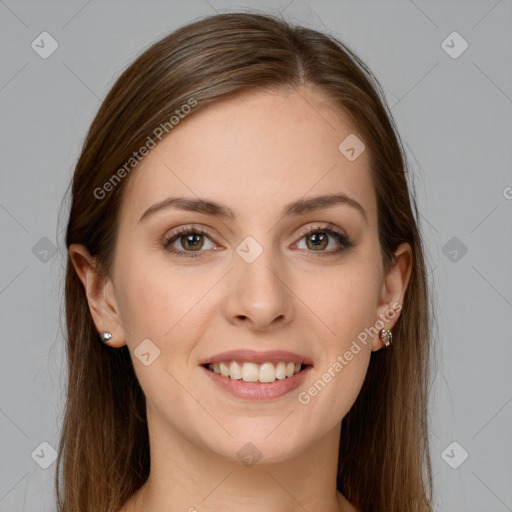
(255, 153)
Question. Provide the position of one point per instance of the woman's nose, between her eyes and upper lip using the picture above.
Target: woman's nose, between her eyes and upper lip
(259, 295)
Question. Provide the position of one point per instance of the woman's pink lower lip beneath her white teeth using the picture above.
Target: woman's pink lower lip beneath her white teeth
(256, 390)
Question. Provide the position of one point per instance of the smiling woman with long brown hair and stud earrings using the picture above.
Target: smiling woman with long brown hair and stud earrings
(246, 297)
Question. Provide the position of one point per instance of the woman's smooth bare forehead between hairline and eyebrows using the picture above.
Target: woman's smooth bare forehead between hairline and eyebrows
(253, 151)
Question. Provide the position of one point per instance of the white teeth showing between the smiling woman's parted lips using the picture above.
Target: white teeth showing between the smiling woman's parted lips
(252, 372)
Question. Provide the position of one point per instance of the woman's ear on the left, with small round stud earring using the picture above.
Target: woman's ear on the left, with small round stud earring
(100, 295)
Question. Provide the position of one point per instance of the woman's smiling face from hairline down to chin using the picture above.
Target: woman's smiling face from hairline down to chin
(251, 287)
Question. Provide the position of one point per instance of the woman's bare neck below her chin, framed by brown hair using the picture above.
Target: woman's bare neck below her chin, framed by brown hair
(184, 476)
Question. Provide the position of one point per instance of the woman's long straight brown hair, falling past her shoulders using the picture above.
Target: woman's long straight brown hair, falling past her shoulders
(384, 461)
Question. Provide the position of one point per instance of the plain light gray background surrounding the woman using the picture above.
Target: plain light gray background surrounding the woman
(454, 115)
